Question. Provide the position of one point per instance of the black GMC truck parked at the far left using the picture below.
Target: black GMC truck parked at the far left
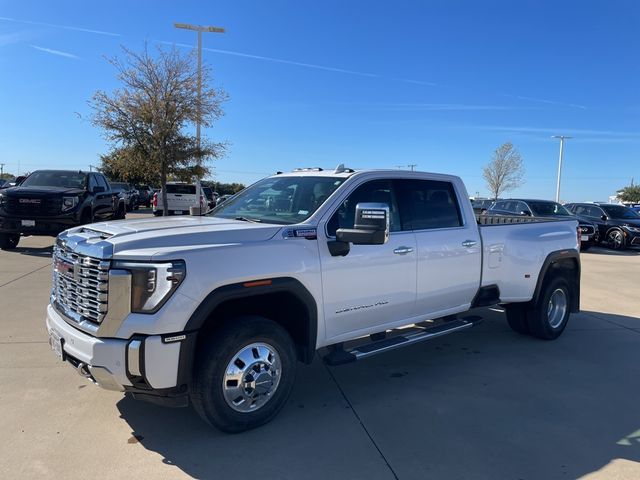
(49, 201)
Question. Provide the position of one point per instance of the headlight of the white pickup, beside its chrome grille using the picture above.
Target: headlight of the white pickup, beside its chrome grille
(152, 283)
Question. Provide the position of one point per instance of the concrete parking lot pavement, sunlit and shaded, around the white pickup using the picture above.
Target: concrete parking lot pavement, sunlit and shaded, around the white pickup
(480, 404)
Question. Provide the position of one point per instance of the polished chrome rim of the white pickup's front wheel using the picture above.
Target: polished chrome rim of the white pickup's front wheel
(251, 377)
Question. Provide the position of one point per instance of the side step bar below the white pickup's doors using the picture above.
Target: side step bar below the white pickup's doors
(340, 356)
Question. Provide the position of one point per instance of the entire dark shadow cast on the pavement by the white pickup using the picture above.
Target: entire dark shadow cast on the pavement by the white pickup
(485, 404)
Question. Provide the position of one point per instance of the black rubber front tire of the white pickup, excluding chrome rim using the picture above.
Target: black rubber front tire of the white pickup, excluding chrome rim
(208, 395)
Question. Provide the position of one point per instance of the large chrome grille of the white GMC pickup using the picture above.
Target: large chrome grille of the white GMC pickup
(80, 285)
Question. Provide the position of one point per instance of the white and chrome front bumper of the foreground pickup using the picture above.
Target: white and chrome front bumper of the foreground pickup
(154, 366)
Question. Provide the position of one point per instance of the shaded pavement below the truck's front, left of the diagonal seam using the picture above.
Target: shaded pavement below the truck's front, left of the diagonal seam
(315, 436)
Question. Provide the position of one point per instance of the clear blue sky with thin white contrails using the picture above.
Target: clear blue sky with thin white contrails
(370, 84)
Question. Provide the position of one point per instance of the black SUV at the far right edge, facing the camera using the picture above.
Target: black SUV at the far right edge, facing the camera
(619, 226)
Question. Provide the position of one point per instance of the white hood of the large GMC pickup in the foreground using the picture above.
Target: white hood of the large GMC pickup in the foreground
(164, 236)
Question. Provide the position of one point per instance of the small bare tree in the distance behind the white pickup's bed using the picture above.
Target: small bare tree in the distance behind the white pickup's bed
(505, 171)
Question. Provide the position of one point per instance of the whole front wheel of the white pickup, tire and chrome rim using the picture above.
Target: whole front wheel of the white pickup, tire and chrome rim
(245, 375)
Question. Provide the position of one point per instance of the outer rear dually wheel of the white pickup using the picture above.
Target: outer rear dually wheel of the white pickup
(544, 321)
